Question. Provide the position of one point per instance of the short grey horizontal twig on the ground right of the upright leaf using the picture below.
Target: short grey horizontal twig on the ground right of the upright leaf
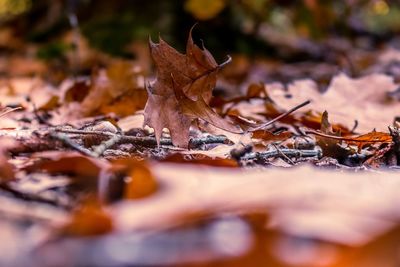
(287, 151)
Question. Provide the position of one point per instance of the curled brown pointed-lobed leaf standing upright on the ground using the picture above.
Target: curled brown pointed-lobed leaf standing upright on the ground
(182, 91)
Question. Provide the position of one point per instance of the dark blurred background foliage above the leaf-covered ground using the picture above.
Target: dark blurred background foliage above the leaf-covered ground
(250, 27)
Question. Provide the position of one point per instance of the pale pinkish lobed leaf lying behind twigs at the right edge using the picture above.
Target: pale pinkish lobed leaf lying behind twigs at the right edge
(347, 99)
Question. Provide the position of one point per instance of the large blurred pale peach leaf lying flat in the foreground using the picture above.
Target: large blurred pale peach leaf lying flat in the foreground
(304, 201)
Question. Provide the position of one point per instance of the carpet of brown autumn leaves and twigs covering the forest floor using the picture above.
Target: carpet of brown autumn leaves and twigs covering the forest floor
(245, 179)
